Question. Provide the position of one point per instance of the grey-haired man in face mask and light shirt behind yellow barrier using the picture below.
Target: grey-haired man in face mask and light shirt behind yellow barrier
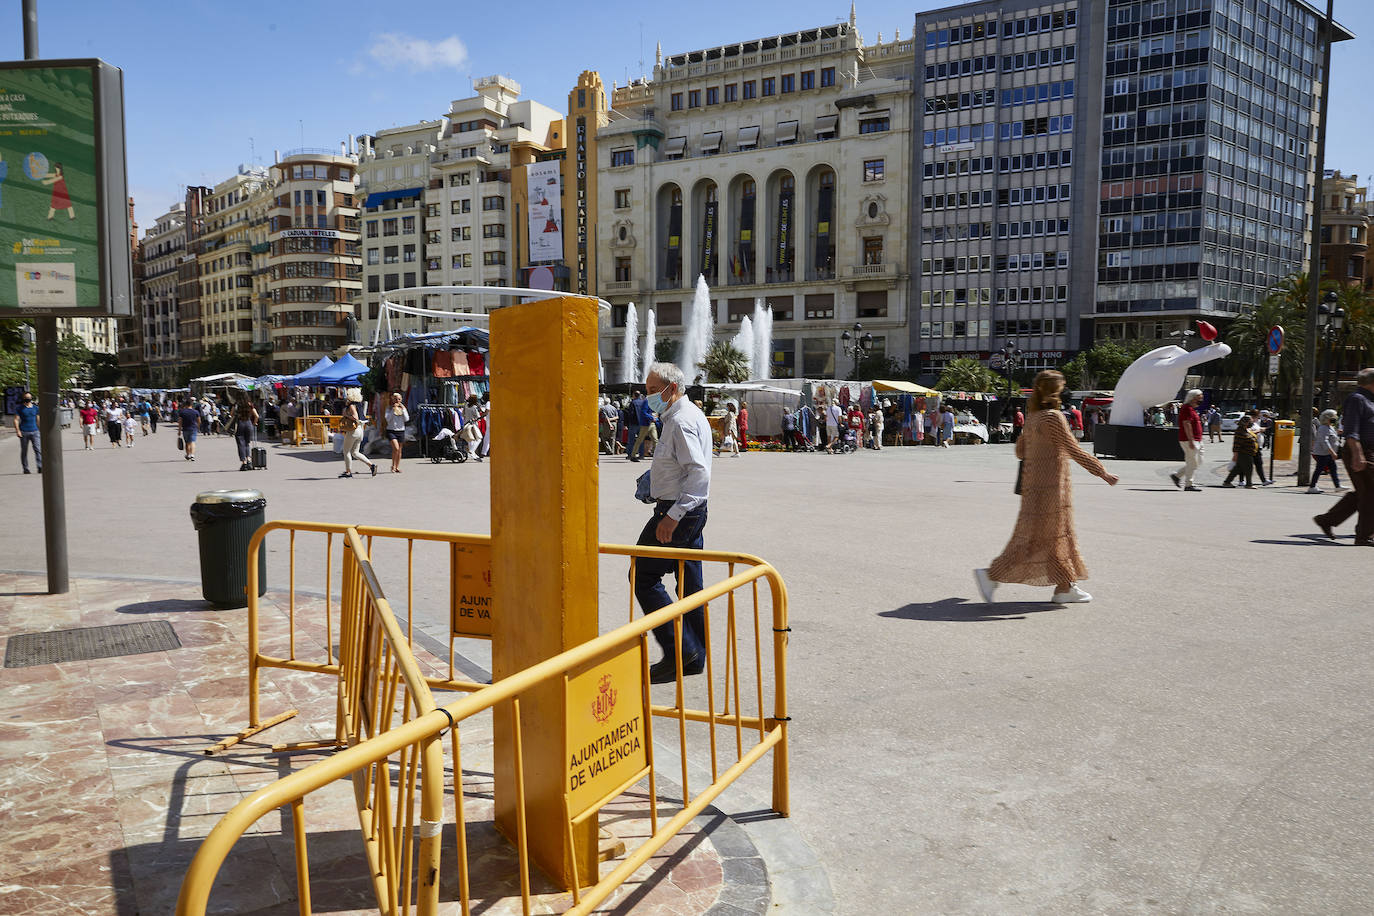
(679, 483)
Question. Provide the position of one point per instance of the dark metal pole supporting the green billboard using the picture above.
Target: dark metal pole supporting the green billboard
(50, 389)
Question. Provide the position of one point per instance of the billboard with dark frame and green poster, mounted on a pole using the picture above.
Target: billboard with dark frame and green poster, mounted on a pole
(64, 193)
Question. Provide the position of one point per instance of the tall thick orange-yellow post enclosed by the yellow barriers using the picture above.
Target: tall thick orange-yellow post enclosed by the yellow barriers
(545, 554)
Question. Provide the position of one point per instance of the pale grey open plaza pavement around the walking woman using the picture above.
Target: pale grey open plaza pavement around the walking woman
(1196, 740)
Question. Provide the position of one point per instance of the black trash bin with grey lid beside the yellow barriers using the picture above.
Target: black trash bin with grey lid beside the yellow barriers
(226, 523)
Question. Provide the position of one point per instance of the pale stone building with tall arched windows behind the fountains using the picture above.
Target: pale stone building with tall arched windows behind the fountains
(776, 168)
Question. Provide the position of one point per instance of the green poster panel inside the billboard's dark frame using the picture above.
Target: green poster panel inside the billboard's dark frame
(50, 225)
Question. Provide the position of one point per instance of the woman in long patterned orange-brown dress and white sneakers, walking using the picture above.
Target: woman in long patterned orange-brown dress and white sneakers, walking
(1044, 549)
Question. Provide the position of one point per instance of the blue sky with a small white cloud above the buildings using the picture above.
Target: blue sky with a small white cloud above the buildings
(210, 84)
